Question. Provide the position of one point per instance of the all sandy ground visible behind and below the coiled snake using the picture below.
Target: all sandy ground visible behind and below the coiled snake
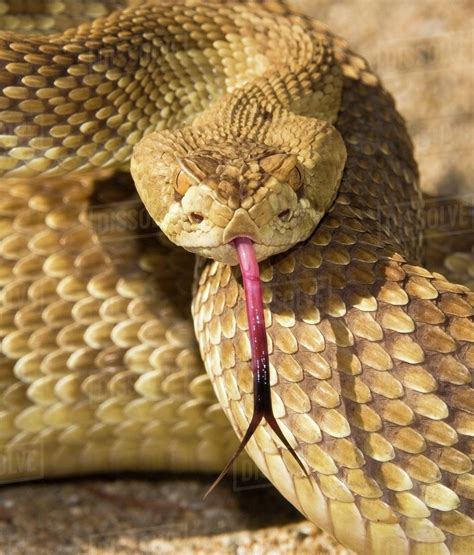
(424, 52)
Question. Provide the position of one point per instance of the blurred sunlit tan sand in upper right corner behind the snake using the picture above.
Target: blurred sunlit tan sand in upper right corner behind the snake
(424, 52)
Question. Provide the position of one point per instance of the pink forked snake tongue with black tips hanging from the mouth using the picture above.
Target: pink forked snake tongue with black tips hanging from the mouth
(262, 400)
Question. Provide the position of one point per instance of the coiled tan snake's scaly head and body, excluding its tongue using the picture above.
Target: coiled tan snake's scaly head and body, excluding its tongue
(241, 109)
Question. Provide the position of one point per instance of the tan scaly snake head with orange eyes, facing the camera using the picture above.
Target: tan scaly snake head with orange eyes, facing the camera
(204, 192)
